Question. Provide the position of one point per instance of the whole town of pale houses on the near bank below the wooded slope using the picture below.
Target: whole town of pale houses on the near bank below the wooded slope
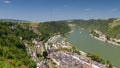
(59, 54)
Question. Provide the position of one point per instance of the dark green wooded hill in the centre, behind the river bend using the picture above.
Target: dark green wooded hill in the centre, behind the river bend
(48, 29)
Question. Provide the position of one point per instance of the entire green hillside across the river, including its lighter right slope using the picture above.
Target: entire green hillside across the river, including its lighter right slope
(110, 27)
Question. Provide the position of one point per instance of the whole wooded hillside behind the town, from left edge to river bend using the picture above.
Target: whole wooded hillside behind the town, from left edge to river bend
(13, 52)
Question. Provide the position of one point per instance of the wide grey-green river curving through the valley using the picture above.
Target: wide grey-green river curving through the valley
(82, 40)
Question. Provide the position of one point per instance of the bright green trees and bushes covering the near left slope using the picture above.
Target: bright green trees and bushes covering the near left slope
(12, 50)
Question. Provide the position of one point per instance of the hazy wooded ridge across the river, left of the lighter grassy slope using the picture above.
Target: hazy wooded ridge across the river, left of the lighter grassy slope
(90, 24)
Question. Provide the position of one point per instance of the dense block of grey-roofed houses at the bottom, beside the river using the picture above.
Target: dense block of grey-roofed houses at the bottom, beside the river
(73, 60)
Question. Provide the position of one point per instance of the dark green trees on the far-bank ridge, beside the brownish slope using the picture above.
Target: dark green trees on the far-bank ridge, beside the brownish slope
(99, 24)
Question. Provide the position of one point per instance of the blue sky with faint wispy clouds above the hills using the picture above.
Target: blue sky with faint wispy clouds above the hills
(52, 10)
